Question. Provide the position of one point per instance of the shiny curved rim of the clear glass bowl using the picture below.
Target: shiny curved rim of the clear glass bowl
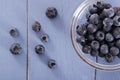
(92, 63)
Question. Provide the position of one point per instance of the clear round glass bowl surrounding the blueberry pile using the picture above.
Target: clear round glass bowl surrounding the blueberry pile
(79, 18)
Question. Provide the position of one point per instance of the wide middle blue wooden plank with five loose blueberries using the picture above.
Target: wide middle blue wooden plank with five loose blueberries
(59, 47)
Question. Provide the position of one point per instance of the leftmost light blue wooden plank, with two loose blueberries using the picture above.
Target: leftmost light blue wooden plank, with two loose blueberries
(13, 15)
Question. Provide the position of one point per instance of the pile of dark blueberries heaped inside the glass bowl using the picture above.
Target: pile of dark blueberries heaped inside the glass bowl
(100, 34)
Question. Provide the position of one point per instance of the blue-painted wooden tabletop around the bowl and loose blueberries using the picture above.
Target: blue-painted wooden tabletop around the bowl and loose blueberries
(21, 14)
